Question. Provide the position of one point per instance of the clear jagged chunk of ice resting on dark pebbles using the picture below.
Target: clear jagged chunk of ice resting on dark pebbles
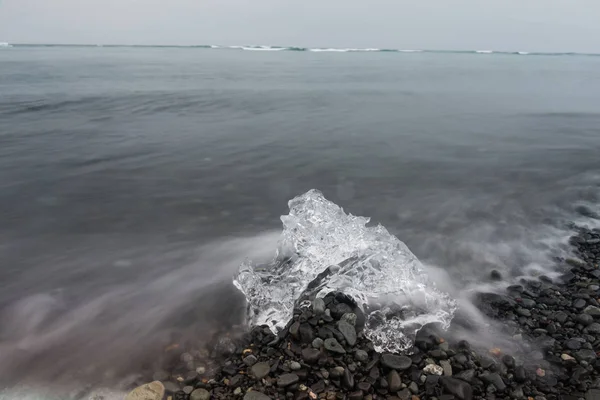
(323, 250)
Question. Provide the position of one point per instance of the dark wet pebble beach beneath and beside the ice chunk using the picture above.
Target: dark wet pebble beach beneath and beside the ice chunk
(323, 354)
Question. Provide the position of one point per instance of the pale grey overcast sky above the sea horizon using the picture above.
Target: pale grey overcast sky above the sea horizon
(513, 25)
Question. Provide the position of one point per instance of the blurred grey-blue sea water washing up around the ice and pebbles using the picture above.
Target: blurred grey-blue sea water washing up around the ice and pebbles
(134, 181)
